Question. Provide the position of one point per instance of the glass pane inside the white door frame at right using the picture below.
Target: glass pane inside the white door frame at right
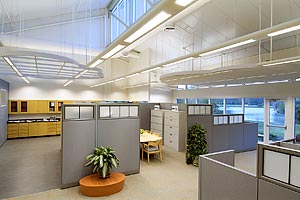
(277, 120)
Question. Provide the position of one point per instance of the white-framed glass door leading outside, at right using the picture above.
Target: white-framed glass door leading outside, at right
(276, 126)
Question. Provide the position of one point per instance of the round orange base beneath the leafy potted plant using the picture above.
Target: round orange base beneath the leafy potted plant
(92, 186)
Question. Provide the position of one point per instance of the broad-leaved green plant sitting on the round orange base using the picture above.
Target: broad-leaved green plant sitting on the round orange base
(103, 159)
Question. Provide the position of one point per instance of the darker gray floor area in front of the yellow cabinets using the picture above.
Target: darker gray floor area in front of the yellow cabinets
(29, 165)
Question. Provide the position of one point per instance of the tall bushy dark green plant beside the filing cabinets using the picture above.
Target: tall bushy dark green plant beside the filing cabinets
(196, 143)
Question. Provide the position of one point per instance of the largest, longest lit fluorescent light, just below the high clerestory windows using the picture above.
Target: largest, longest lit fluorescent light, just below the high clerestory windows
(159, 18)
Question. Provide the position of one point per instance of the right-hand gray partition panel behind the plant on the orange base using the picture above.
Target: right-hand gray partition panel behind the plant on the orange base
(118, 127)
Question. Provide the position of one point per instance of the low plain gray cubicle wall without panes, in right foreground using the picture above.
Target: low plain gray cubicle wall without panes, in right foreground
(219, 179)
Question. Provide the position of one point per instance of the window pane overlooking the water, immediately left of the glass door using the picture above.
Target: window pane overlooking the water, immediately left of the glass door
(254, 112)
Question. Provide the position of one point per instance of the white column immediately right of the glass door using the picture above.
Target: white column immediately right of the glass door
(289, 118)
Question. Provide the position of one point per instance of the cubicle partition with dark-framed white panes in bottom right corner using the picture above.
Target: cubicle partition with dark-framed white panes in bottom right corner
(278, 172)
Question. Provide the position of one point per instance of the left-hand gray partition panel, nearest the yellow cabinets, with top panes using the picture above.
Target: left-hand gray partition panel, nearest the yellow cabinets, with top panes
(78, 140)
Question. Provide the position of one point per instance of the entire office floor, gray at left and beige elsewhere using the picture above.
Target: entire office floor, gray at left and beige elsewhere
(171, 179)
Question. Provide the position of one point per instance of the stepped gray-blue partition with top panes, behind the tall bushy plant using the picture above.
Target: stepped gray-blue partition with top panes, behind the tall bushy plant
(224, 132)
